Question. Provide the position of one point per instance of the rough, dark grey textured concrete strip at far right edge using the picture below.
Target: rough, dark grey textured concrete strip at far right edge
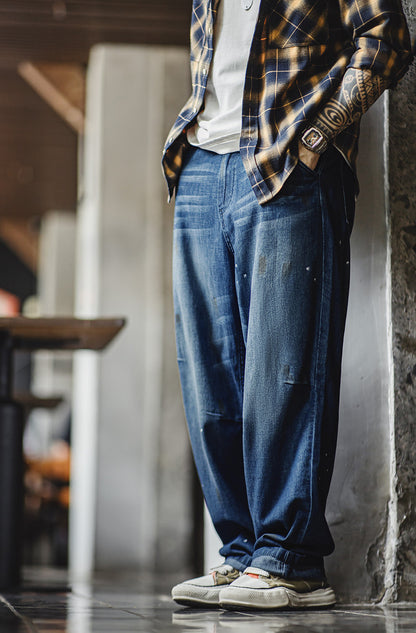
(402, 182)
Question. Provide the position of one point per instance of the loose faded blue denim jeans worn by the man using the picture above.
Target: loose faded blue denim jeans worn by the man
(260, 297)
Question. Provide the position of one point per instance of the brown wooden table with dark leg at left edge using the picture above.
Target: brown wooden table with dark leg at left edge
(30, 334)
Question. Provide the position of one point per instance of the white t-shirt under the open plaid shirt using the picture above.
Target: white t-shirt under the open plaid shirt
(218, 125)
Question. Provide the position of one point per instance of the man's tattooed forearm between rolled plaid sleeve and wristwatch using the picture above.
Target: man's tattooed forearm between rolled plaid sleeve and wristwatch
(358, 91)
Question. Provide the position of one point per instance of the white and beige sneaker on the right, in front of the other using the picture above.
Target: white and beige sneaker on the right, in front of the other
(258, 589)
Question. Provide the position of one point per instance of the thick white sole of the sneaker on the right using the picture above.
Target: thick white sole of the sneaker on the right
(278, 598)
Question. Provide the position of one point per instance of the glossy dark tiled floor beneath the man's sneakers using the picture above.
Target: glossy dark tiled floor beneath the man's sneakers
(125, 603)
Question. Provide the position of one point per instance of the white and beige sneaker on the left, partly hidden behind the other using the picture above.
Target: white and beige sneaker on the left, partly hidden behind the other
(205, 590)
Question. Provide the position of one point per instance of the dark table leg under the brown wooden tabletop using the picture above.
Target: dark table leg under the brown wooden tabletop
(11, 472)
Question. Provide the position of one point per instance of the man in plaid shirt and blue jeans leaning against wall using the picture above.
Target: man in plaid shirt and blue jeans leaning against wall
(262, 158)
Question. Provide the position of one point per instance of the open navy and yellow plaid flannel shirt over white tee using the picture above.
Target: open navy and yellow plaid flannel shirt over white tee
(300, 52)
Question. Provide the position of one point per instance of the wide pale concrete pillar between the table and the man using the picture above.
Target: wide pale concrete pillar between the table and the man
(128, 418)
